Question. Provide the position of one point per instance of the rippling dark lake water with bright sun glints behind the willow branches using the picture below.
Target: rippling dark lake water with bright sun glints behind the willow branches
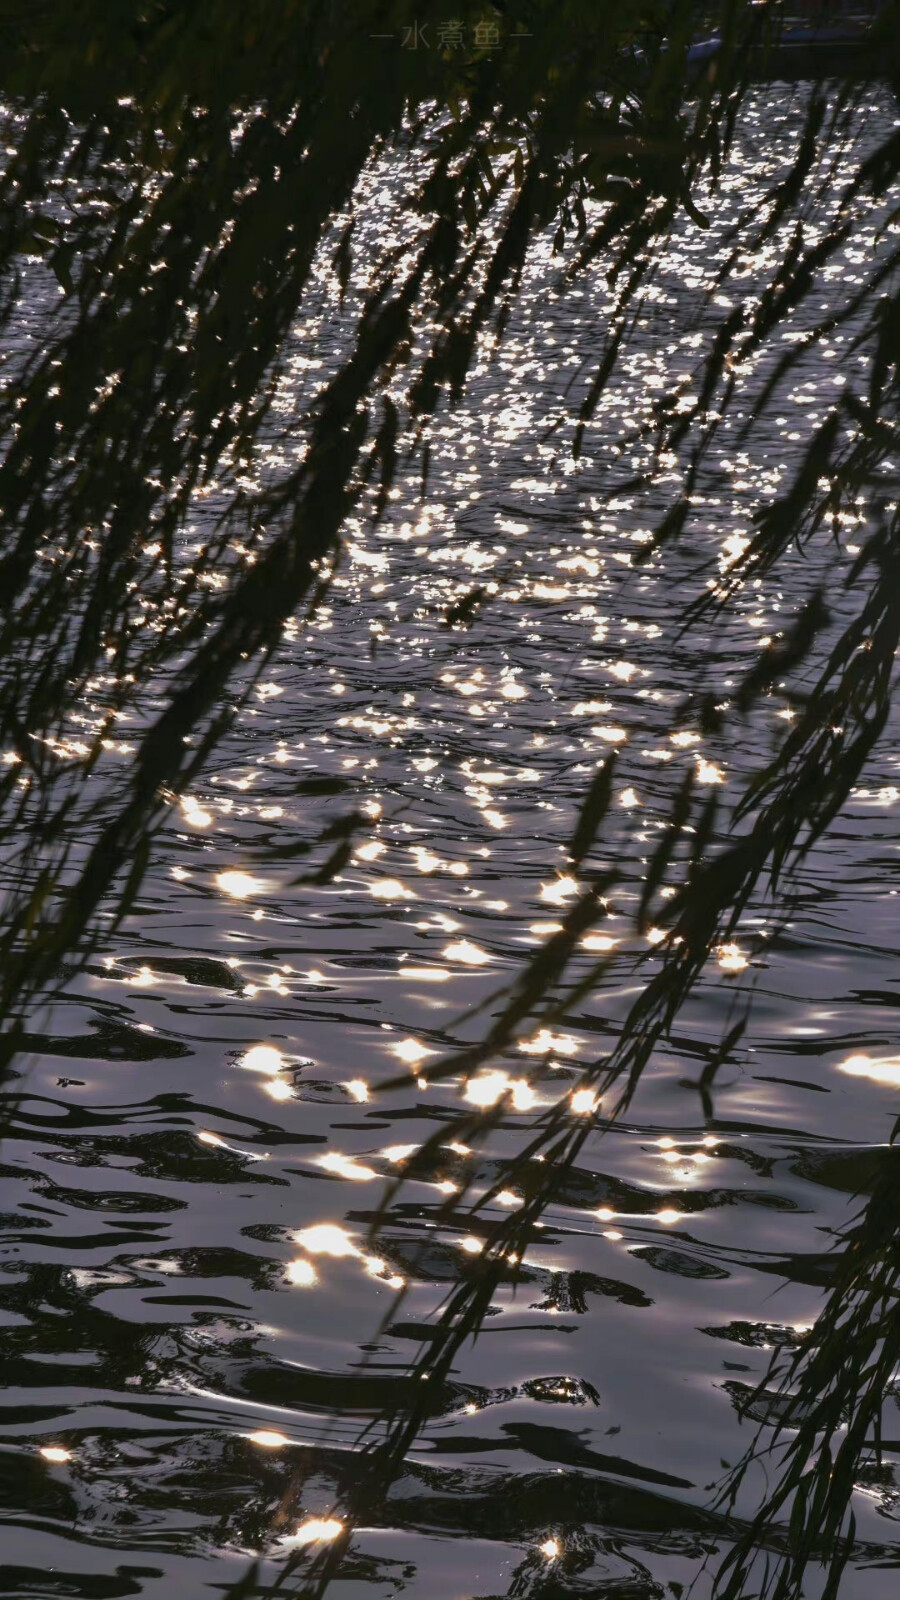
(191, 1318)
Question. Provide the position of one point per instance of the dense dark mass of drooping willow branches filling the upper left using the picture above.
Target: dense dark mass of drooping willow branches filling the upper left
(180, 223)
